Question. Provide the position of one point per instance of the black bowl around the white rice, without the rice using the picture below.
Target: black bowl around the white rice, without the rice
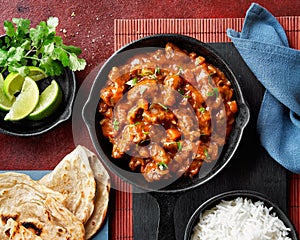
(228, 196)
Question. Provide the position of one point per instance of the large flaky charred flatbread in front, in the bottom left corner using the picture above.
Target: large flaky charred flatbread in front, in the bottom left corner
(27, 204)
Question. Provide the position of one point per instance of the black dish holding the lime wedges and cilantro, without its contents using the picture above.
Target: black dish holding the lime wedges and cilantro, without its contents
(27, 128)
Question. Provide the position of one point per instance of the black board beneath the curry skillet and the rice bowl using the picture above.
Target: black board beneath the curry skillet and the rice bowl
(251, 168)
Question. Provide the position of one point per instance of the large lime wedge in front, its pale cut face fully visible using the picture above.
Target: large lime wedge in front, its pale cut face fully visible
(25, 102)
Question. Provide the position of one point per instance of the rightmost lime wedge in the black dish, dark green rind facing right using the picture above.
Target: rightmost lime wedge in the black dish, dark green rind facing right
(49, 101)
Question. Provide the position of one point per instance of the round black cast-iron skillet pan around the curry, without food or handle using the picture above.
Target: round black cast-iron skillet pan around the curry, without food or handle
(104, 148)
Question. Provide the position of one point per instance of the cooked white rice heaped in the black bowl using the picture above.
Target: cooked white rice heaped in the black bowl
(240, 219)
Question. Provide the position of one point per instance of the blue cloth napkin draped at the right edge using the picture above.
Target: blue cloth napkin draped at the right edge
(264, 47)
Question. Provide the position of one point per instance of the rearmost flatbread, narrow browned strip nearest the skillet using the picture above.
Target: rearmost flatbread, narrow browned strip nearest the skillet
(102, 195)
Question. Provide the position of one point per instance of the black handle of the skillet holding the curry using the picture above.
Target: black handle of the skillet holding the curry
(166, 202)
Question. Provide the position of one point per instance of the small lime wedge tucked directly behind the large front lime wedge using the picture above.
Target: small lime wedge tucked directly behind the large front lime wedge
(12, 84)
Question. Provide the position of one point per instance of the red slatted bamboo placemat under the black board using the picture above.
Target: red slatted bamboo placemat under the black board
(206, 30)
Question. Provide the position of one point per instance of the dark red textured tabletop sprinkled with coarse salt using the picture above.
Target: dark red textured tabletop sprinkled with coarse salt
(90, 25)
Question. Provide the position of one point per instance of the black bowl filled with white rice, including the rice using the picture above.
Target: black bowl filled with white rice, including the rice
(239, 215)
